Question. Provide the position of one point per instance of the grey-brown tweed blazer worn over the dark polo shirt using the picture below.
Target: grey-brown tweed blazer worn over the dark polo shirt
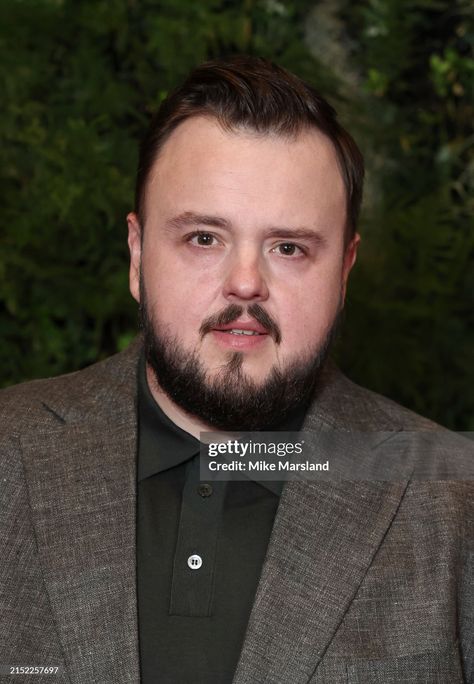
(363, 582)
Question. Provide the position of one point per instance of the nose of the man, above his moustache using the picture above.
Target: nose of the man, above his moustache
(245, 278)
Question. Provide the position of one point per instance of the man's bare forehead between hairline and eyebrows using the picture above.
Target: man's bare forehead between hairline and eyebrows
(202, 167)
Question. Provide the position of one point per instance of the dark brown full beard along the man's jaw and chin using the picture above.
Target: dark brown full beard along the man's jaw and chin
(231, 401)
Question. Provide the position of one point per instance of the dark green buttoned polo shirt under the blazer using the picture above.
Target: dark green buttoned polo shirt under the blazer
(200, 550)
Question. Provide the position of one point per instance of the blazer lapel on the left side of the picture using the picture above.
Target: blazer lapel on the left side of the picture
(81, 479)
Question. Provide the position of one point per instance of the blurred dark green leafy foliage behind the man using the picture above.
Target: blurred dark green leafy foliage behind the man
(80, 81)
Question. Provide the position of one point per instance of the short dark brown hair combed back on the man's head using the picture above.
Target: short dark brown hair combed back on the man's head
(254, 93)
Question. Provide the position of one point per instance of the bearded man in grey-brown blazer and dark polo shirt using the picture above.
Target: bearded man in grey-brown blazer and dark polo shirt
(118, 562)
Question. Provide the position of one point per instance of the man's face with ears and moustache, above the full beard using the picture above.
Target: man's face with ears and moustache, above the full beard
(243, 259)
